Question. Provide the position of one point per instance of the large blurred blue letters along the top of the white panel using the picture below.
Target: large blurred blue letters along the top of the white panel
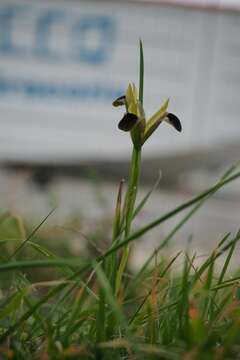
(90, 38)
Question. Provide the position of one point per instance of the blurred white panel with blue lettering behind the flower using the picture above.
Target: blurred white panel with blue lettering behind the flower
(63, 63)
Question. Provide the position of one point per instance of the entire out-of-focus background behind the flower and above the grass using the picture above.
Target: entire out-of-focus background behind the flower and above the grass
(62, 63)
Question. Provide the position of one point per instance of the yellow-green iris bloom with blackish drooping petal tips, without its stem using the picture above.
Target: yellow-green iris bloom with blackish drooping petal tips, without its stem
(134, 118)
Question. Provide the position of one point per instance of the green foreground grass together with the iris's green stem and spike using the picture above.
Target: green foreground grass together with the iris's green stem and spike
(54, 305)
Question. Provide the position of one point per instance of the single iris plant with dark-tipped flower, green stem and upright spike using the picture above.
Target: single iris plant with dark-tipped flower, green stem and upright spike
(140, 128)
